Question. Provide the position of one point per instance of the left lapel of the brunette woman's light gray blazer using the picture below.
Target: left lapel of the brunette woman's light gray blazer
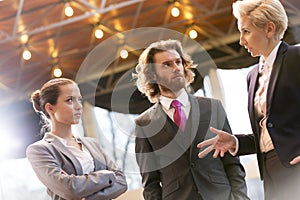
(64, 150)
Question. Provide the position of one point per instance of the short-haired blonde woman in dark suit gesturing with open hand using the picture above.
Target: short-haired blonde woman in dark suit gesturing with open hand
(273, 100)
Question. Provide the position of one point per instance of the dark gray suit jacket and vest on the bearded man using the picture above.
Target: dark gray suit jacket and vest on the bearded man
(168, 158)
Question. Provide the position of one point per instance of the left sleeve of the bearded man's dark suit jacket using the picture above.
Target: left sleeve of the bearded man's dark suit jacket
(150, 179)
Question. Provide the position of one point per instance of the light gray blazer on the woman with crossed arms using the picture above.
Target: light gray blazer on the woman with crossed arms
(60, 171)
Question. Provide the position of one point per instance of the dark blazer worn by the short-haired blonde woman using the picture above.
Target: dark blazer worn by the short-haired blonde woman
(283, 108)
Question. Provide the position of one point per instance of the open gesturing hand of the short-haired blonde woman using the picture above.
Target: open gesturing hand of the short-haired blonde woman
(221, 143)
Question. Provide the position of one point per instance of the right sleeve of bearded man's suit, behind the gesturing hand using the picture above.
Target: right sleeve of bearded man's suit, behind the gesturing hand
(233, 168)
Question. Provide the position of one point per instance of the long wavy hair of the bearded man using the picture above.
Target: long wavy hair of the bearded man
(145, 68)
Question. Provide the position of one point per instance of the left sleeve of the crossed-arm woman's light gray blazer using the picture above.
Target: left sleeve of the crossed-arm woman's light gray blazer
(46, 163)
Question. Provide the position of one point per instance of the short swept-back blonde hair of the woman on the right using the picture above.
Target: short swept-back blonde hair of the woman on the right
(261, 12)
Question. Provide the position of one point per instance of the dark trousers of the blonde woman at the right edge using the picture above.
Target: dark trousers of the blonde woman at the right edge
(280, 182)
